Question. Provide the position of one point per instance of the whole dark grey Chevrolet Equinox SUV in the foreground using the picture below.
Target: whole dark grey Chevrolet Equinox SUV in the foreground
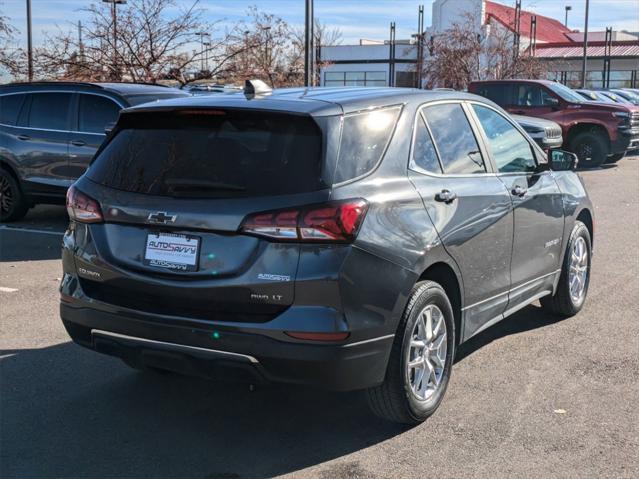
(343, 238)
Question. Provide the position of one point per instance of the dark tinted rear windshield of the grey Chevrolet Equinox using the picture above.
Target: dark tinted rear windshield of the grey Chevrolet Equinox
(212, 154)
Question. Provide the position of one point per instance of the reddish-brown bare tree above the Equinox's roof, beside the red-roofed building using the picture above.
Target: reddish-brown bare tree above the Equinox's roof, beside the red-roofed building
(462, 54)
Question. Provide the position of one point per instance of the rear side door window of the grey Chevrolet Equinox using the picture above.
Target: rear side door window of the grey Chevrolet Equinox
(455, 140)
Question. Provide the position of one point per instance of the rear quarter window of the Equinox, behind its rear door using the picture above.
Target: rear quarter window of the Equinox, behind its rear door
(364, 140)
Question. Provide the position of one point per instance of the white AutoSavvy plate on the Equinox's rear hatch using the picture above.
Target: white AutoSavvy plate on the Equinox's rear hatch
(177, 252)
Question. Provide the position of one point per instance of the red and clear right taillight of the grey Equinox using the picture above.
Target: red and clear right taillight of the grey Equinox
(334, 222)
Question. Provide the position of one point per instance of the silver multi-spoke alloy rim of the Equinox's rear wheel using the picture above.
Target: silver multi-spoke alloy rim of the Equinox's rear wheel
(426, 355)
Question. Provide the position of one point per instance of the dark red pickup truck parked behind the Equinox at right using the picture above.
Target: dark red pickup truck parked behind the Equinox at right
(595, 132)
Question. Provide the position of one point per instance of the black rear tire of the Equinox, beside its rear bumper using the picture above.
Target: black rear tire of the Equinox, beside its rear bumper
(395, 399)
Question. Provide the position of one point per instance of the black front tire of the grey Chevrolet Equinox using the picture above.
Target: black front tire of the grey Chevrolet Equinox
(563, 303)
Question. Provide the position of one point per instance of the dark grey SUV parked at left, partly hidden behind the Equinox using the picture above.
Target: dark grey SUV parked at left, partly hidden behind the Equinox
(50, 130)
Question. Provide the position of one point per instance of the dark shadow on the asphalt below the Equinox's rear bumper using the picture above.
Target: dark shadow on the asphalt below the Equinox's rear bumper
(70, 412)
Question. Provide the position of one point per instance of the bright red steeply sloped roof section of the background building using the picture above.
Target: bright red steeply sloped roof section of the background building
(548, 29)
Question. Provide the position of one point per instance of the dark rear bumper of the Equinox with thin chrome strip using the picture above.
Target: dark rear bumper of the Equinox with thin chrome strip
(234, 355)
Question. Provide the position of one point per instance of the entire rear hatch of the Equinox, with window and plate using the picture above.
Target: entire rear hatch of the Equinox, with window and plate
(174, 188)
